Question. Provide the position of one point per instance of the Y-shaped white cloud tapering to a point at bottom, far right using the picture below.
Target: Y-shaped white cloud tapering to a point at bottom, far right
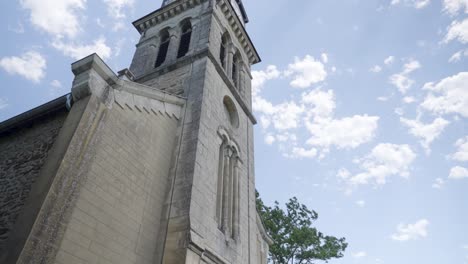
(426, 132)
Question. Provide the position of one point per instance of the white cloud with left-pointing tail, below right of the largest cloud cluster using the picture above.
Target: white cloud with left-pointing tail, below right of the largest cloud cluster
(385, 160)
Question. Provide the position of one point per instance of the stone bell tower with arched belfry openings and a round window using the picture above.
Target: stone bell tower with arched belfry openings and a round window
(200, 50)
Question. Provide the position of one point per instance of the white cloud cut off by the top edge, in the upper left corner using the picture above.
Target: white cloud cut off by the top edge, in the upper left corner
(56, 17)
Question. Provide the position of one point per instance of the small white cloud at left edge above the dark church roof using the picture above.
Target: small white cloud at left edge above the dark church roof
(31, 65)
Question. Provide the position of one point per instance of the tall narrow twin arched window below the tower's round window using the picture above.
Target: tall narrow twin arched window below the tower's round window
(228, 188)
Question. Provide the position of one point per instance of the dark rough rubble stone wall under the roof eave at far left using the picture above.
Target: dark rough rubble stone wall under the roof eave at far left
(22, 155)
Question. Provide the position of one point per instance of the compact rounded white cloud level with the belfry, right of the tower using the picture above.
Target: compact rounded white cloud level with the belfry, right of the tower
(306, 72)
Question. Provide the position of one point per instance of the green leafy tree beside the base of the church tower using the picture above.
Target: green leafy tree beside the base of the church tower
(295, 240)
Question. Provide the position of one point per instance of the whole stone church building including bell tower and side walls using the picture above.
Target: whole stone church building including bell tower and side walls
(154, 164)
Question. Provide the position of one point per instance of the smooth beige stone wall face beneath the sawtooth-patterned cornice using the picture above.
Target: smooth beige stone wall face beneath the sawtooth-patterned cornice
(117, 215)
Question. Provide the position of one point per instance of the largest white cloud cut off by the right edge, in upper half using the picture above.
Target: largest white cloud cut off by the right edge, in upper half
(450, 95)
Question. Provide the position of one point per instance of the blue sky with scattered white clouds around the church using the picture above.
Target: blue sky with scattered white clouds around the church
(362, 107)
